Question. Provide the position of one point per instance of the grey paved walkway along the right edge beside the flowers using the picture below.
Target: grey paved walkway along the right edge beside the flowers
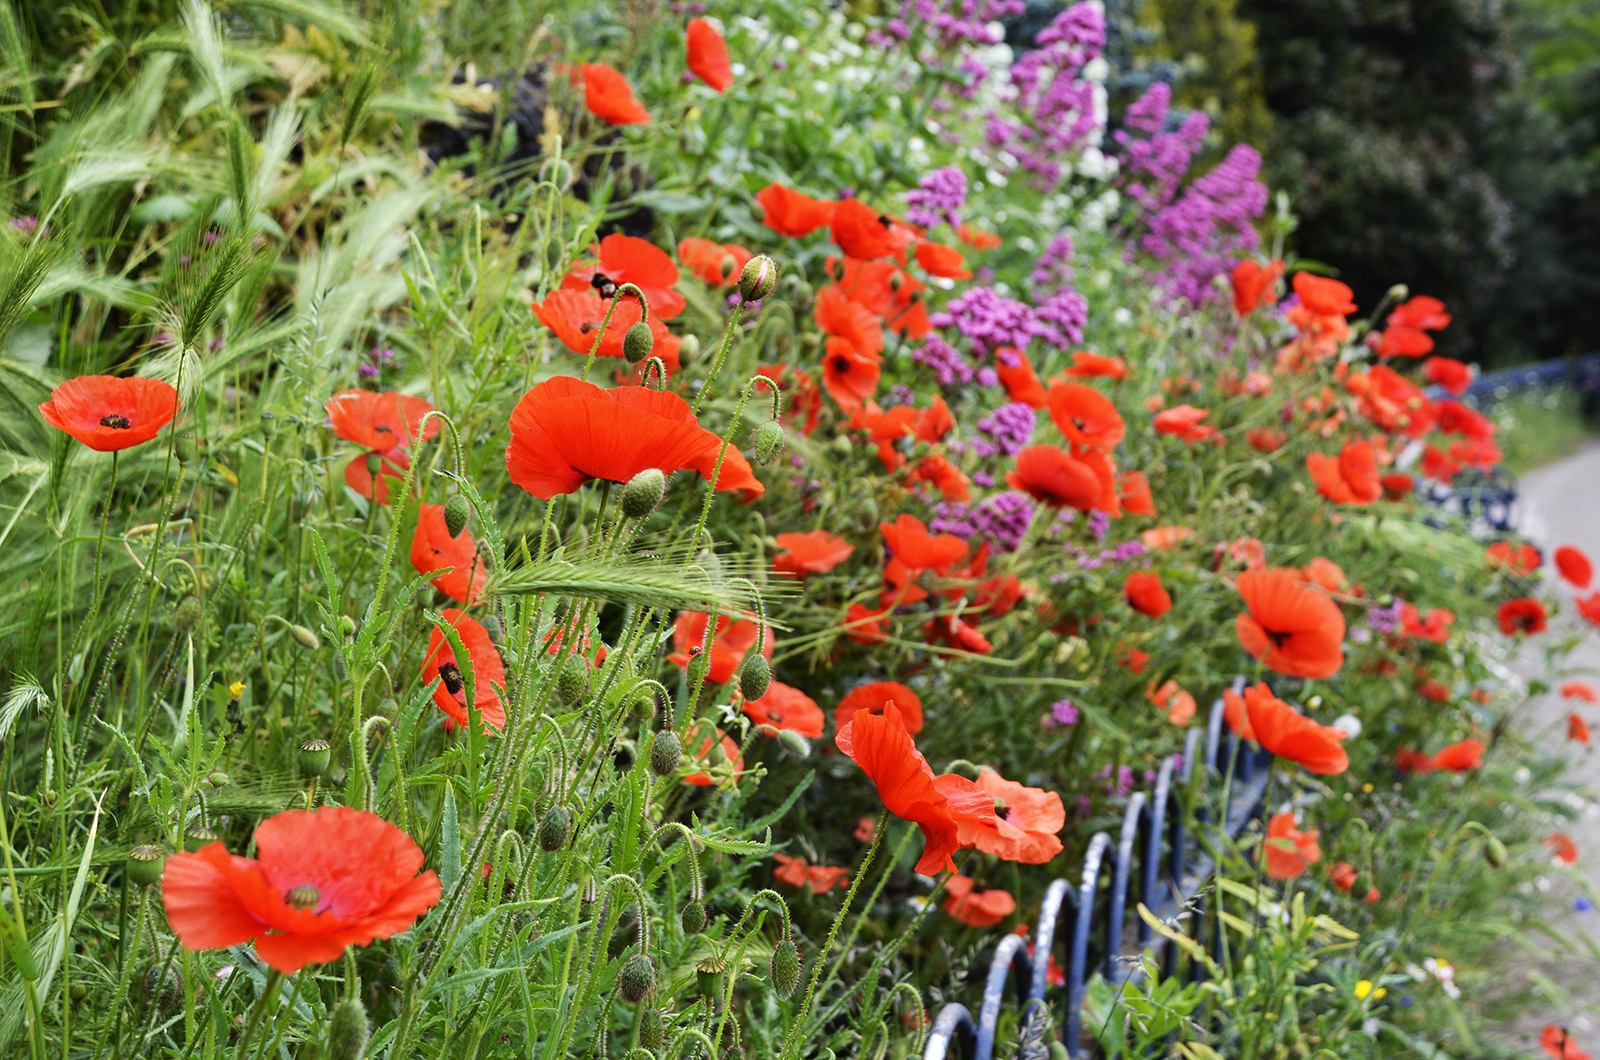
(1561, 505)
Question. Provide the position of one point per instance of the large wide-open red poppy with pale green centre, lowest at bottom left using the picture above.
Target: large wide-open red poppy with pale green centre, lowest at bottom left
(322, 881)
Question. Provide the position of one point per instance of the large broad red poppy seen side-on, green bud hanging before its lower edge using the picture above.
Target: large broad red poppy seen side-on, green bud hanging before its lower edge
(566, 433)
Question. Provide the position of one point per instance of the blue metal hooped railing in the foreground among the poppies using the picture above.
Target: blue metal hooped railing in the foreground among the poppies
(1154, 840)
